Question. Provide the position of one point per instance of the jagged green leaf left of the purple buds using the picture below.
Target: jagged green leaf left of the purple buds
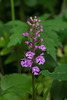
(17, 28)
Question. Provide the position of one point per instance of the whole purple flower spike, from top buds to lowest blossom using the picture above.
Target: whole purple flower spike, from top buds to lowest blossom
(34, 34)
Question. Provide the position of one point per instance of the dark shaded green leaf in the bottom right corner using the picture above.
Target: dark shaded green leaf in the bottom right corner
(59, 90)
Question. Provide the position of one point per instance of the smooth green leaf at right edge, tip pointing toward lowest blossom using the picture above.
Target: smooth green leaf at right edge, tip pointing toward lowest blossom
(60, 72)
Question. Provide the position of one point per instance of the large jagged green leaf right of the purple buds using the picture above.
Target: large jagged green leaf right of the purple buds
(51, 39)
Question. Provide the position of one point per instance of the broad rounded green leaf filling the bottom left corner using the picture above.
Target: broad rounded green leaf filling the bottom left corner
(16, 83)
